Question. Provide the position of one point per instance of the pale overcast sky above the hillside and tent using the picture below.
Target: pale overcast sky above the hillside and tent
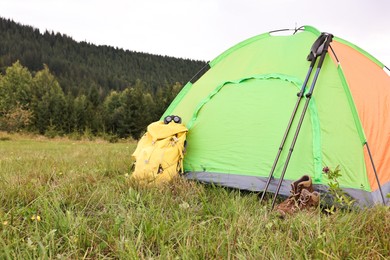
(202, 29)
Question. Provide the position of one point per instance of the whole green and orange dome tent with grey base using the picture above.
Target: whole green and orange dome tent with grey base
(238, 106)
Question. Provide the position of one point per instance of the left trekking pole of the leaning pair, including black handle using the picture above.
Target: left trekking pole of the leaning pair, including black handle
(313, 58)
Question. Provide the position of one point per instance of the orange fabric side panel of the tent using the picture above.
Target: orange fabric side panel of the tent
(371, 93)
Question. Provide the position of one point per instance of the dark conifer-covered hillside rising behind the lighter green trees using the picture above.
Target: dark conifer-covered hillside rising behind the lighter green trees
(81, 65)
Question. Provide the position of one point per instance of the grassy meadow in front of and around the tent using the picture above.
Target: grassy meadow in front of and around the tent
(87, 211)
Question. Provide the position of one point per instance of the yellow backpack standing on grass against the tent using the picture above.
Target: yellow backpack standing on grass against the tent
(159, 153)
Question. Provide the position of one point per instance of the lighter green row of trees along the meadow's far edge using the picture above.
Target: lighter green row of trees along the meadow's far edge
(37, 103)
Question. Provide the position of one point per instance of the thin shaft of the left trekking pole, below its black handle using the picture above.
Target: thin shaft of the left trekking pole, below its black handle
(300, 95)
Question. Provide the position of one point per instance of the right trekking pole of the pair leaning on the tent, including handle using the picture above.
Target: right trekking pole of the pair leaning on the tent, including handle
(322, 50)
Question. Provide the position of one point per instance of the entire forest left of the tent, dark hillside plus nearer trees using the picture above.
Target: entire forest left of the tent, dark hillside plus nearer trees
(52, 85)
